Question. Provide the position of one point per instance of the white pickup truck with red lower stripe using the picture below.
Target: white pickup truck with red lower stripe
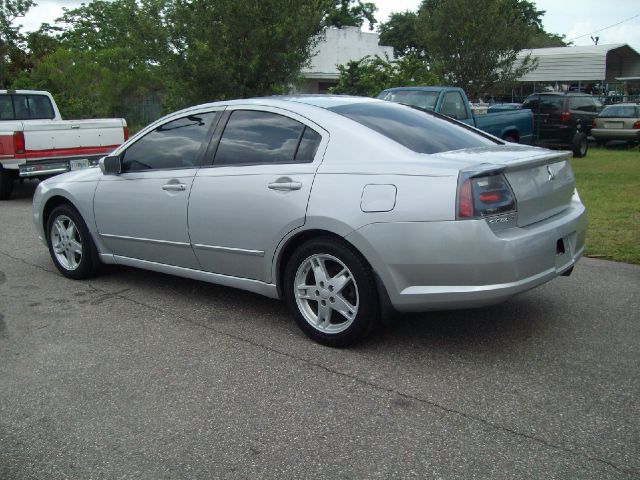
(36, 142)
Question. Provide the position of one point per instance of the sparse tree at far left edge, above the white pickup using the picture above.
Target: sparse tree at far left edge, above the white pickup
(12, 55)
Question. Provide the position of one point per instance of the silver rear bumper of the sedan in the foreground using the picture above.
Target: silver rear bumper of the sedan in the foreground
(462, 264)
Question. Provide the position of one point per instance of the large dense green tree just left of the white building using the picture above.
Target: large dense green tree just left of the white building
(229, 49)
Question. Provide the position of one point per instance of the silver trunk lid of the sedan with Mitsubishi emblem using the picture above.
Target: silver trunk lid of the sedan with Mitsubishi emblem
(542, 180)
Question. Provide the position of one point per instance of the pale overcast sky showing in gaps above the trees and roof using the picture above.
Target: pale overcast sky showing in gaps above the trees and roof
(573, 18)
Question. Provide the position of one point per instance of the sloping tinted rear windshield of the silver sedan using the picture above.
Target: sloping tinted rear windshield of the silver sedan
(417, 130)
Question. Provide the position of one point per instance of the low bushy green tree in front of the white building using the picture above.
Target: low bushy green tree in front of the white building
(370, 75)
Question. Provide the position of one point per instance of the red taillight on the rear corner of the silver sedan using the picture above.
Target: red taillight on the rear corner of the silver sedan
(484, 196)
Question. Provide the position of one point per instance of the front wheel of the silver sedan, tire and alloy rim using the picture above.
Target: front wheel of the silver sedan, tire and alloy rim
(70, 244)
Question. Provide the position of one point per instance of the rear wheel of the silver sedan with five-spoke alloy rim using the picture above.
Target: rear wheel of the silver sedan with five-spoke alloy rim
(331, 291)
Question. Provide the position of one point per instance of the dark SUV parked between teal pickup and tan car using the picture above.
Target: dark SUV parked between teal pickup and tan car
(563, 120)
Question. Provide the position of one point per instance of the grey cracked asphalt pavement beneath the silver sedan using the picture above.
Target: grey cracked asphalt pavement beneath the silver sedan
(141, 375)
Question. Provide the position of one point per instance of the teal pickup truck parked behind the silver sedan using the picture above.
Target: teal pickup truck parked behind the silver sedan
(509, 125)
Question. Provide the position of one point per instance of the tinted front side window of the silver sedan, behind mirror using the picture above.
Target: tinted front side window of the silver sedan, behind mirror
(172, 145)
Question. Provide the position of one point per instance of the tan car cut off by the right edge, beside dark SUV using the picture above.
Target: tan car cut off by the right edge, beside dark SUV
(617, 122)
